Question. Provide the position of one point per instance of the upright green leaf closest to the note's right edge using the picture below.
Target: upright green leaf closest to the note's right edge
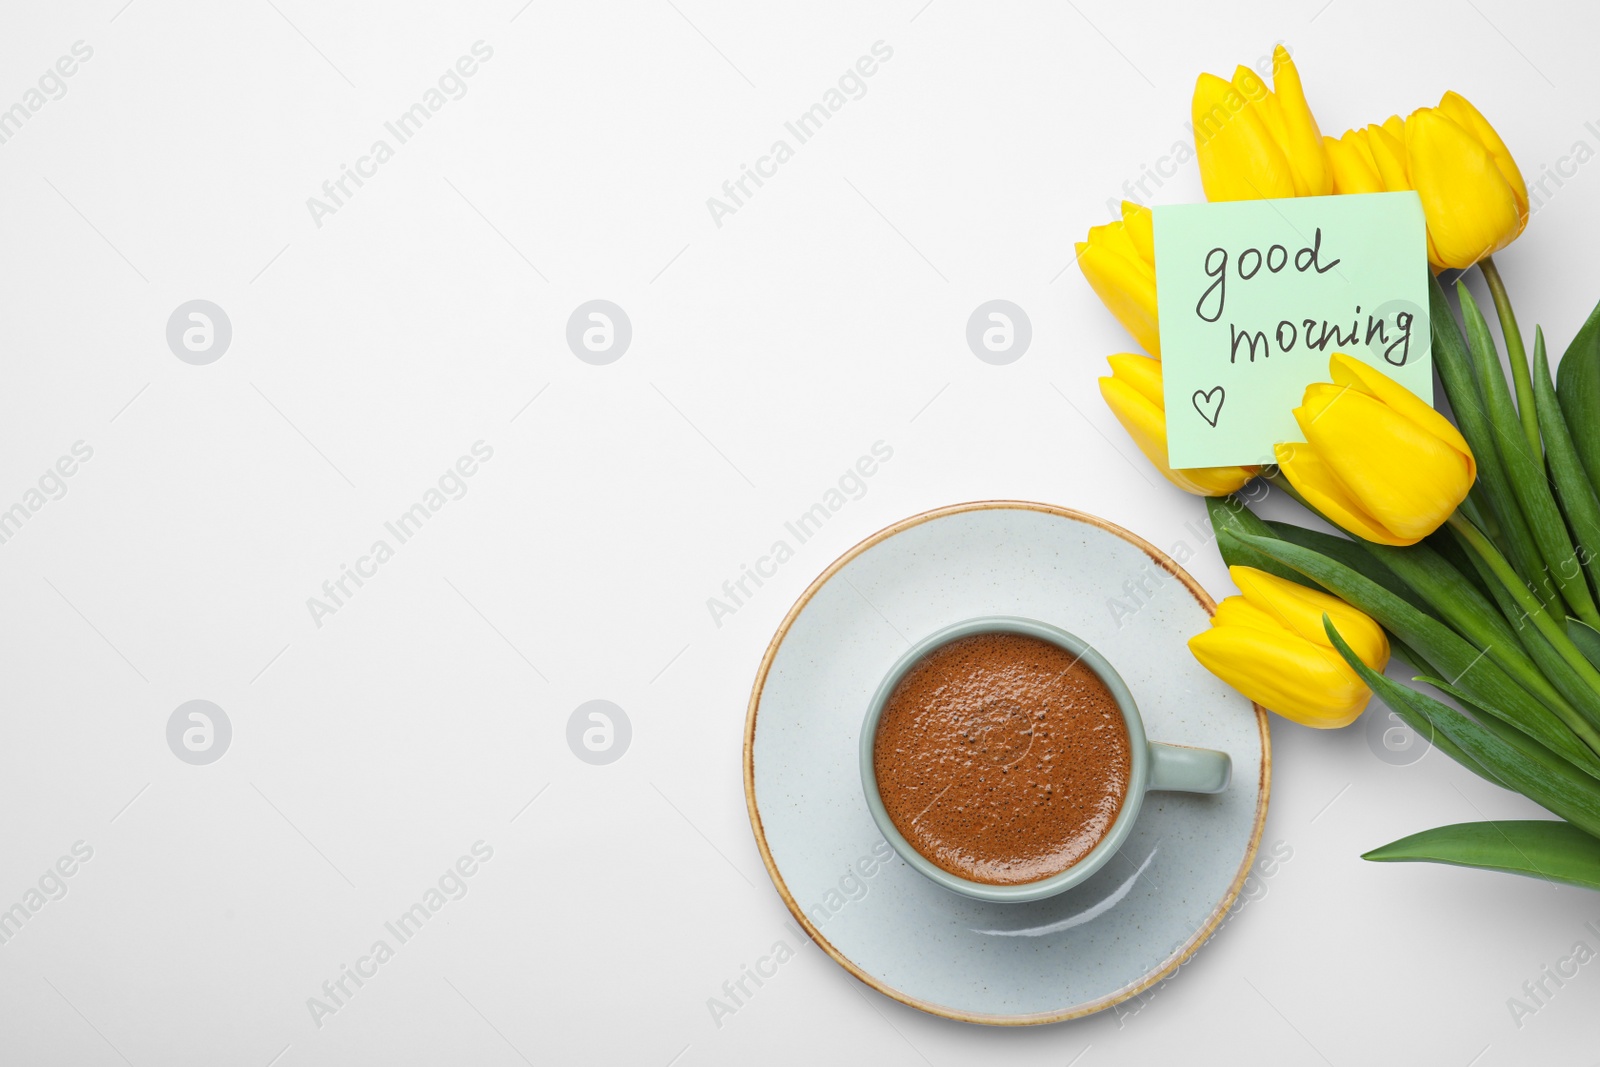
(1466, 401)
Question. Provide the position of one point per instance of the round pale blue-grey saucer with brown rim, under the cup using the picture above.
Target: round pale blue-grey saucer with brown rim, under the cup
(1095, 946)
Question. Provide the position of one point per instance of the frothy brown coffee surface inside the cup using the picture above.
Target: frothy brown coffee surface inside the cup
(1002, 759)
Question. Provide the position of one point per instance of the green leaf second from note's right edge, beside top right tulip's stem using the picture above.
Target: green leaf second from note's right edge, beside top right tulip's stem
(1526, 470)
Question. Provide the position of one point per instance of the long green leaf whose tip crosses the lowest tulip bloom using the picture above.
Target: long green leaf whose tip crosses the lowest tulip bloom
(1551, 783)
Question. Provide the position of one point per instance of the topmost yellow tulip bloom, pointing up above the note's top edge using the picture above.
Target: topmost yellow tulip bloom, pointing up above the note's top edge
(1255, 143)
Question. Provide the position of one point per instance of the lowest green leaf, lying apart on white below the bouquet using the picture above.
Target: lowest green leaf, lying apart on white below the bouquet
(1538, 849)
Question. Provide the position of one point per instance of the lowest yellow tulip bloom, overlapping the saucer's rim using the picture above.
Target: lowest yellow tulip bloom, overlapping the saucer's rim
(1270, 644)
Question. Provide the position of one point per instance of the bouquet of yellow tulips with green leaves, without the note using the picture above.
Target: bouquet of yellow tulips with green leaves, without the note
(1473, 546)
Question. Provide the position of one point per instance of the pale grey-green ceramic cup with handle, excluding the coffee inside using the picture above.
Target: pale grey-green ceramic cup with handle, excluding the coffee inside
(1154, 765)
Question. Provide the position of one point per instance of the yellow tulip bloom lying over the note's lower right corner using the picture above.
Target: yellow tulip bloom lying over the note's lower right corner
(1377, 458)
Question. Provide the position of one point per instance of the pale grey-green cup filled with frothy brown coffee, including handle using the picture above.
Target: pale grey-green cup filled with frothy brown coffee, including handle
(1006, 759)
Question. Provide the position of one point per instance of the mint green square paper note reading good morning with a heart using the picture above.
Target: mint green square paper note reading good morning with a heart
(1254, 298)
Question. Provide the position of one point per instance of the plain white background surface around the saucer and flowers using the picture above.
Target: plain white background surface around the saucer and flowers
(769, 354)
